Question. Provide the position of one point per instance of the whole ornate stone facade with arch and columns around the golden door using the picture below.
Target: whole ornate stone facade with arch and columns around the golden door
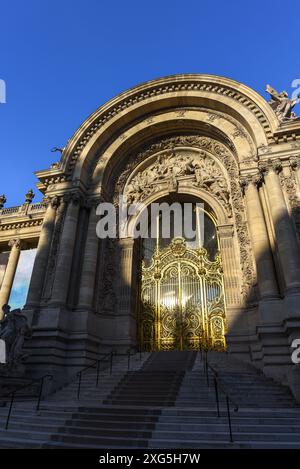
(202, 136)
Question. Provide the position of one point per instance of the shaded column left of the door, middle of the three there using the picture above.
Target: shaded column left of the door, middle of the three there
(65, 253)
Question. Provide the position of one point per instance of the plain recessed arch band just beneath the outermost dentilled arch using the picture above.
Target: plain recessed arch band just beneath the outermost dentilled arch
(222, 129)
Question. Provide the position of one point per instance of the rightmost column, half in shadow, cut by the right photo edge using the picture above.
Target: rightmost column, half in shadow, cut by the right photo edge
(286, 239)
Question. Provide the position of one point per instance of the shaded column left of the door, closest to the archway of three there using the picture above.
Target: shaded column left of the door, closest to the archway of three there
(89, 266)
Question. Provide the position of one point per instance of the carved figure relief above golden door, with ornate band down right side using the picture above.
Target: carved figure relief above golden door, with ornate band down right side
(207, 171)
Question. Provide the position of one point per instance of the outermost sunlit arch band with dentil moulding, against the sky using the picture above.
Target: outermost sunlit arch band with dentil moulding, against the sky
(214, 93)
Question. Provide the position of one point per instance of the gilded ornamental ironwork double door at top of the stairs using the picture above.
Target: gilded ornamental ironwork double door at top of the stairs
(182, 300)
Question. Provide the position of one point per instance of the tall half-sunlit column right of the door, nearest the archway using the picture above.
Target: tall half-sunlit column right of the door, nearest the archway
(266, 279)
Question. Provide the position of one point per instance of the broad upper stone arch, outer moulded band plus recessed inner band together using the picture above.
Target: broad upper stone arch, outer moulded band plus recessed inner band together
(222, 102)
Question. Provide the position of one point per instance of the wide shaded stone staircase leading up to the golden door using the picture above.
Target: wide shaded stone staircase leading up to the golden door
(163, 401)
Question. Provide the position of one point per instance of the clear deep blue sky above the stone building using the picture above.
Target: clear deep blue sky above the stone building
(61, 59)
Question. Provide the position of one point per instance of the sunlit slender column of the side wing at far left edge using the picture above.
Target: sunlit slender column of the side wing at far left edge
(10, 272)
